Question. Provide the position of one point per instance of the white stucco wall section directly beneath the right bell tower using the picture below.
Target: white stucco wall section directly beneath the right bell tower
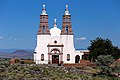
(67, 41)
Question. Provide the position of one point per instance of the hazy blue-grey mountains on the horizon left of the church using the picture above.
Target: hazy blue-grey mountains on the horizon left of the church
(18, 54)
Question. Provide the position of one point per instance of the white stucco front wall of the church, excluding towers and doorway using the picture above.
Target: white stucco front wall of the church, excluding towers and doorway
(66, 40)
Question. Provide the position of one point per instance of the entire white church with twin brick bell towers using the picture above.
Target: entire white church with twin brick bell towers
(55, 46)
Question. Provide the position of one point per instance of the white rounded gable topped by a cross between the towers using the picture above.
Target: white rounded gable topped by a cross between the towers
(55, 31)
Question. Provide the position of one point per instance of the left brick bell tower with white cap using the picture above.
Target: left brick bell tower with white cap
(43, 27)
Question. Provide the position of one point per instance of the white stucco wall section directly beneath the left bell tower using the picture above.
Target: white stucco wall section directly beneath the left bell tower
(42, 42)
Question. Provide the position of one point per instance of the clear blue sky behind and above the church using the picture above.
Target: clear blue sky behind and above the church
(19, 21)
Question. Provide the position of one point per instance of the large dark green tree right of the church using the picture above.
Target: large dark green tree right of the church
(102, 47)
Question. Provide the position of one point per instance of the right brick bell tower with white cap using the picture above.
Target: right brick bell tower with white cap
(66, 23)
